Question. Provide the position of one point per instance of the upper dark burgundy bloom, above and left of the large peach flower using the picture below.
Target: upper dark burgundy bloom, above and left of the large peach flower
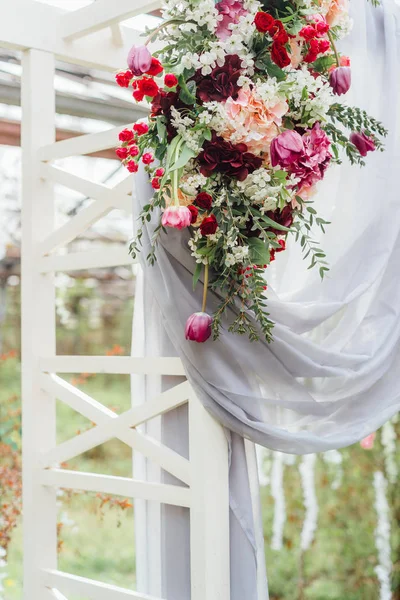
(222, 83)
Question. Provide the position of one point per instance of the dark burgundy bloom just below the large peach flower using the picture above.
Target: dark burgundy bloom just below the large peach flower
(224, 157)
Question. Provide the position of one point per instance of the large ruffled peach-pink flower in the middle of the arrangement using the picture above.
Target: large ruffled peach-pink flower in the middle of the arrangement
(252, 122)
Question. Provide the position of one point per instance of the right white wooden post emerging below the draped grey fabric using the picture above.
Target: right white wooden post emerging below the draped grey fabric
(209, 514)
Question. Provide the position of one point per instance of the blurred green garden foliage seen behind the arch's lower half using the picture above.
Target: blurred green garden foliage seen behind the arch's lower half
(96, 534)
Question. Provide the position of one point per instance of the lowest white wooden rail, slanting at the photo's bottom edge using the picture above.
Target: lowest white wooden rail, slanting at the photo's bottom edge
(88, 587)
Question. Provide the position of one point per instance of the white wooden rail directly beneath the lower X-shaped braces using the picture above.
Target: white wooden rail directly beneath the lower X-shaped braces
(119, 486)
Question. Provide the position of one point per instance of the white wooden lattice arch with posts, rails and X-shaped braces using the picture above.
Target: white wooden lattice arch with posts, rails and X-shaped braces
(93, 37)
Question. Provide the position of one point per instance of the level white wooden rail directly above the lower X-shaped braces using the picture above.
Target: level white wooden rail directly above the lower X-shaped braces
(112, 364)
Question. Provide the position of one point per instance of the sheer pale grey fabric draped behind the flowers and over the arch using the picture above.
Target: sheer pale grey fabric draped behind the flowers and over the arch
(331, 375)
